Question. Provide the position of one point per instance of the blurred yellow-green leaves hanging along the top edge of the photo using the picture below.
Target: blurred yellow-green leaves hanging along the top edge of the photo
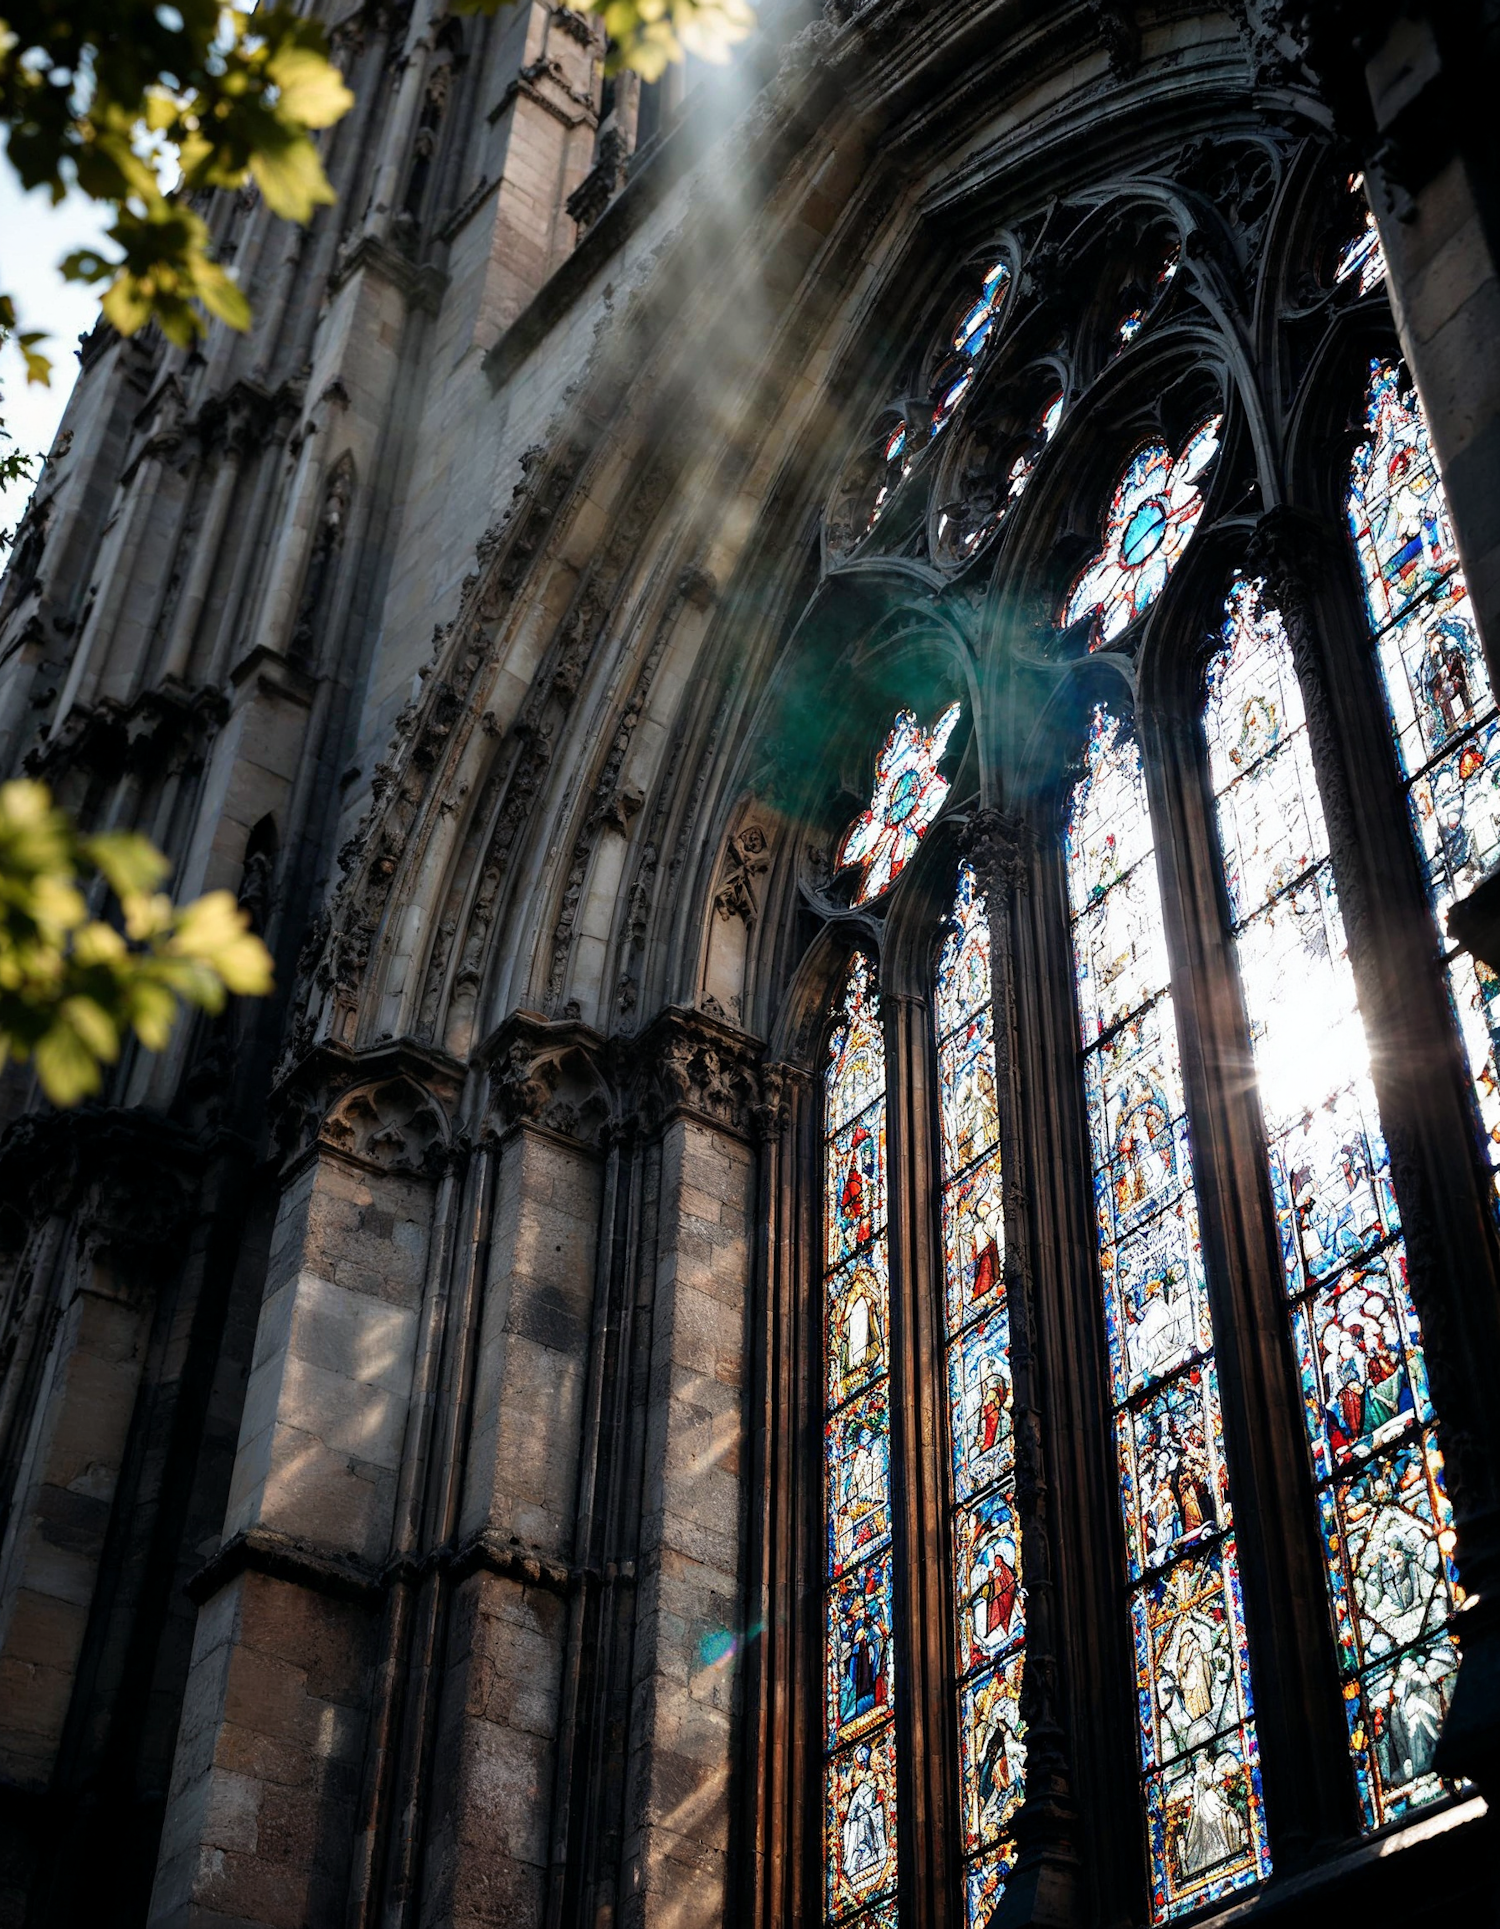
(144, 105)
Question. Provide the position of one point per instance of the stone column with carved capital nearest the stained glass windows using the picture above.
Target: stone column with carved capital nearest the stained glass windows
(691, 1617)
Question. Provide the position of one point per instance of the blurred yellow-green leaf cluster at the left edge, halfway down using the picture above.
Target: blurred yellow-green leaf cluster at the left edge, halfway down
(74, 985)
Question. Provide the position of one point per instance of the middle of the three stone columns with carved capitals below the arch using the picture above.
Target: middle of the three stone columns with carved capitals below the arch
(498, 1700)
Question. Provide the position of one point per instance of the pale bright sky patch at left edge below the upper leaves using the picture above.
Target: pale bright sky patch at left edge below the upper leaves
(34, 240)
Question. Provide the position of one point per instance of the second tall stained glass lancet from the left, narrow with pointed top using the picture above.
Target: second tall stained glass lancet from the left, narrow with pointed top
(988, 1604)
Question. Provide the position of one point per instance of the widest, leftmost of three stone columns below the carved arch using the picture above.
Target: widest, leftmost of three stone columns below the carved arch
(263, 1803)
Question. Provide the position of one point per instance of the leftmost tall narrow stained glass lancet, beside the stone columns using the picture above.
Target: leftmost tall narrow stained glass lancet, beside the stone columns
(859, 1658)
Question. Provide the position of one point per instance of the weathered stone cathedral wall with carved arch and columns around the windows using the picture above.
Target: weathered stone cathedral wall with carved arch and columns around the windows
(441, 618)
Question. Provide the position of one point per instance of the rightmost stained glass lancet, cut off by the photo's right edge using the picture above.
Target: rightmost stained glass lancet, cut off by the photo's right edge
(1437, 693)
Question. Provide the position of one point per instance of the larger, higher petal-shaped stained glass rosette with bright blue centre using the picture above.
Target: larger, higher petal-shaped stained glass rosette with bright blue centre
(1152, 514)
